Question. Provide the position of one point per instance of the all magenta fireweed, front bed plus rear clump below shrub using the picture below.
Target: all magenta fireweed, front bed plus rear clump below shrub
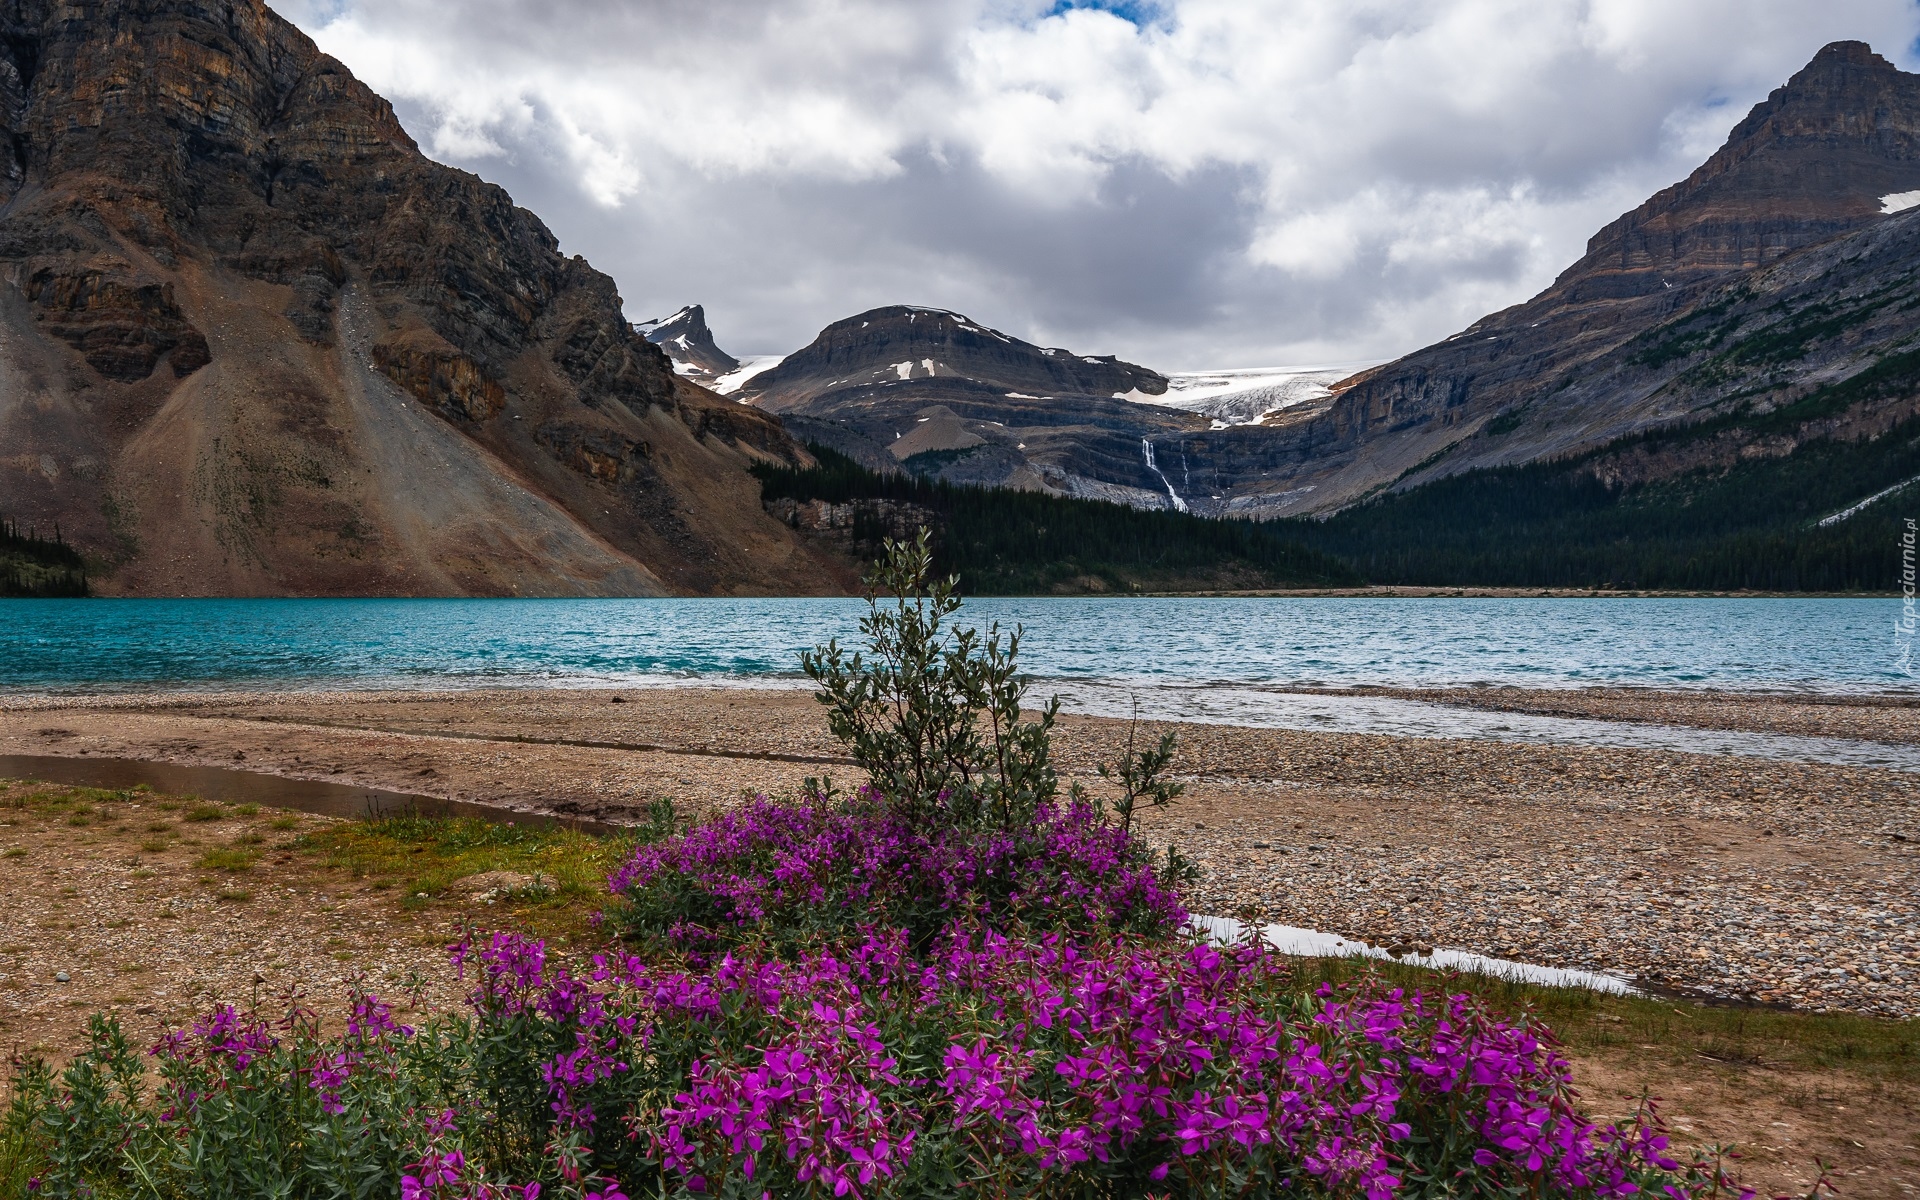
(1047, 1024)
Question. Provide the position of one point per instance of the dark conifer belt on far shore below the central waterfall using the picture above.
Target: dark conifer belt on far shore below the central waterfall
(1005, 542)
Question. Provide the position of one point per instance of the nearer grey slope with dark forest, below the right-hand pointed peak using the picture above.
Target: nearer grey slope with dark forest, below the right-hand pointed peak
(1790, 466)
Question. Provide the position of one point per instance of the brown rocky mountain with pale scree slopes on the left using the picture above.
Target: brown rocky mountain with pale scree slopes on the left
(254, 343)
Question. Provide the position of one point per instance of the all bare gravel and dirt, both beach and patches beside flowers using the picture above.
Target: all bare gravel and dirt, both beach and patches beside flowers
(1779, 882)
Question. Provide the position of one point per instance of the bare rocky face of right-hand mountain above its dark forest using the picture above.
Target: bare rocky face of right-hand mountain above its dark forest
(1570, 370)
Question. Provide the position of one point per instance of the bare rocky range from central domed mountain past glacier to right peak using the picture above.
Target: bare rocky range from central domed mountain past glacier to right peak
(1773, 272)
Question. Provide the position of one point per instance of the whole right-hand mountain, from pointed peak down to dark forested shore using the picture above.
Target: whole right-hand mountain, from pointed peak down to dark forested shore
(1725, 393)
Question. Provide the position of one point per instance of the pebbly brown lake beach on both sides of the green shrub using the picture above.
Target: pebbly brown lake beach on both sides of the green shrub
(1742, 878)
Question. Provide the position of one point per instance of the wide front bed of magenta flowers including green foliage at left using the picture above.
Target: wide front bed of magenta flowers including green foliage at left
(871, 1067)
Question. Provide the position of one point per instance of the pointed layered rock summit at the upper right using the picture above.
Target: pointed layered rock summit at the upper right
(1810, 162)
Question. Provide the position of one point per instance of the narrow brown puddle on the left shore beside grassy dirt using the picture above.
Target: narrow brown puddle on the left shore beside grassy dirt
(274, 792)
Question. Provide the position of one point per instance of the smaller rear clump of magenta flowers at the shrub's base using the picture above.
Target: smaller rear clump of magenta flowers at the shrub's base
(821, 865)
